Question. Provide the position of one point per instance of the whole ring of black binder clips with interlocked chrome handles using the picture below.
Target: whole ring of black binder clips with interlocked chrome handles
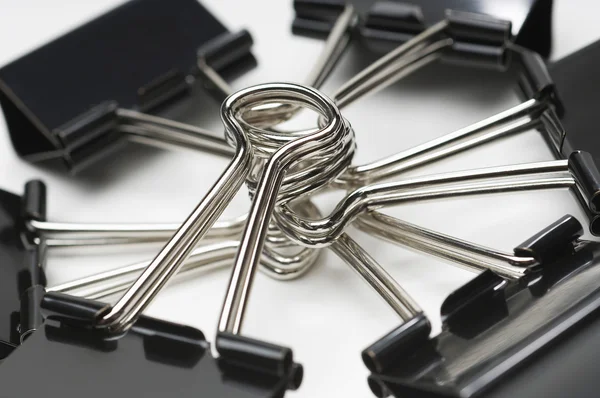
(523, 326)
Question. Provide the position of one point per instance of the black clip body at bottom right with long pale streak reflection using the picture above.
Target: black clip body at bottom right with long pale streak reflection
(507, 339)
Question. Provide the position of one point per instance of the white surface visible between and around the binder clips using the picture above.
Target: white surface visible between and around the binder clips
(330, 315)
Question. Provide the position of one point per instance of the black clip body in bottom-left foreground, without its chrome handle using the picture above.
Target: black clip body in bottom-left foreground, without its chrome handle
(154, 359)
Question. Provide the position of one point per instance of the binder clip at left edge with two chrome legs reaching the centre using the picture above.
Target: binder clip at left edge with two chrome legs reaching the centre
(28, 237)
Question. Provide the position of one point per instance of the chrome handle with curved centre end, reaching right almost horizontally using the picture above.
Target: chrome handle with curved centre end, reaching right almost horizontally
(320, 233)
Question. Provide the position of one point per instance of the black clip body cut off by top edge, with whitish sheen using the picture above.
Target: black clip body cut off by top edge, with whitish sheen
(387, 24)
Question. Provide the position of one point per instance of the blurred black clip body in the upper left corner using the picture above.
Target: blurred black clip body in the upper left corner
(140, 56)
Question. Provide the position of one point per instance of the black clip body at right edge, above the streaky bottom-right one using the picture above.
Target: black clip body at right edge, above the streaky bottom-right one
(568, 87)
